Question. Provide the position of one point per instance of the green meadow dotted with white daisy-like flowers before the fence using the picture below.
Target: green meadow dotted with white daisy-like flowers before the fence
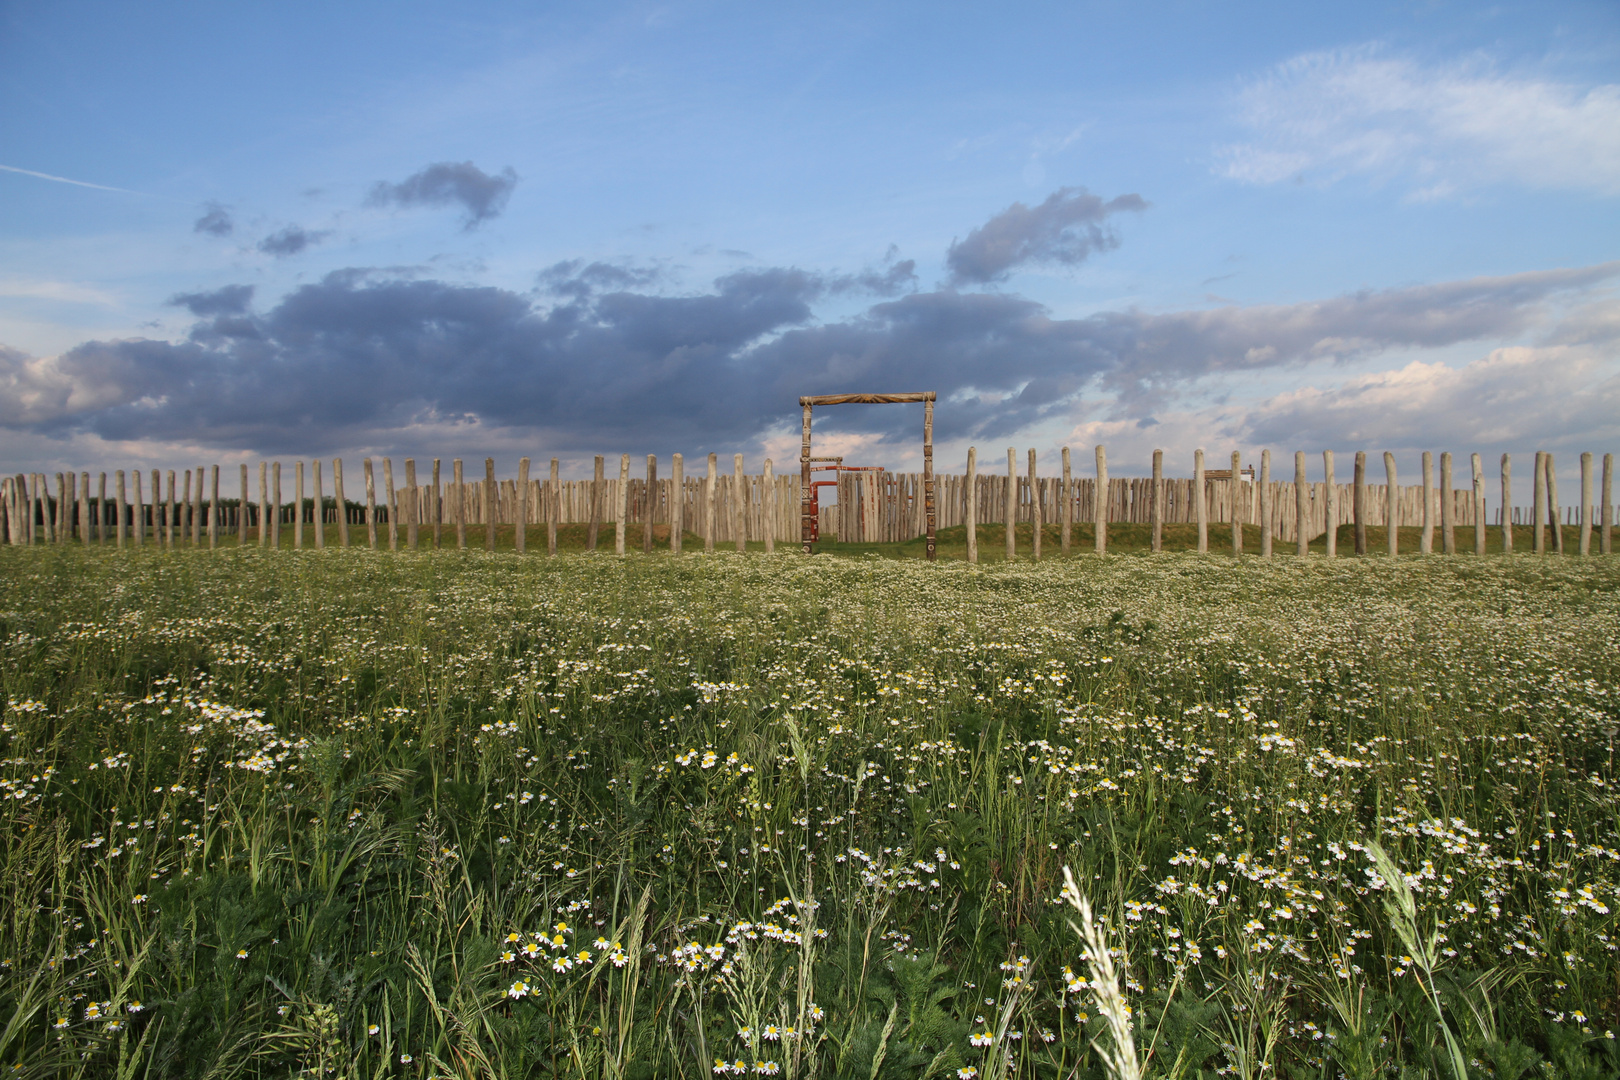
(458, 815)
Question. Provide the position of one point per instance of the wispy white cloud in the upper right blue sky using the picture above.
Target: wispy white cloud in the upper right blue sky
(1328, 116)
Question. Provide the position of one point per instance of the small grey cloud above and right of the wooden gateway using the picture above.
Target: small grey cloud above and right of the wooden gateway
(1068, 227)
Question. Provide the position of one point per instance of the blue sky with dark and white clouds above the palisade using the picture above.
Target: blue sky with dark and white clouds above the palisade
(232, 232)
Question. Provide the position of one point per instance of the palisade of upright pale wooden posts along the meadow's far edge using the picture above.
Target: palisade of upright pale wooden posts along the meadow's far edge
(733, 506)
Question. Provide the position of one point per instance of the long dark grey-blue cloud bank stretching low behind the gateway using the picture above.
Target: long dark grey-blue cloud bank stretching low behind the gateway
(365, 359)
